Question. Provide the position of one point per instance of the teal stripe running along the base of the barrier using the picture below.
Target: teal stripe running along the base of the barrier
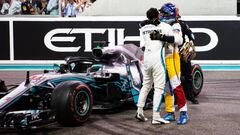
(50, 67)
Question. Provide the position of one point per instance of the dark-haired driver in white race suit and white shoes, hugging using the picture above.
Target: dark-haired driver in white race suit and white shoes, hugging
(154, 67)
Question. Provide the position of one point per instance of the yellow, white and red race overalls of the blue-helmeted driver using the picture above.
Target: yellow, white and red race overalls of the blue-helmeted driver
(172, 61)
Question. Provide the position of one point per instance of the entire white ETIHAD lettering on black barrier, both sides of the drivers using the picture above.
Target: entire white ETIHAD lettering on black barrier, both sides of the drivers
(115, 35)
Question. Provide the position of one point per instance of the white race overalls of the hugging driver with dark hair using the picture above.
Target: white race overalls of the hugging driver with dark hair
(154, 68)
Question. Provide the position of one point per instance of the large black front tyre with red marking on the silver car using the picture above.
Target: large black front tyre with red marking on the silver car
(72, 103)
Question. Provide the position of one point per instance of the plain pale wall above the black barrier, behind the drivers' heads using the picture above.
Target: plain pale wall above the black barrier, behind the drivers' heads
(139, 7)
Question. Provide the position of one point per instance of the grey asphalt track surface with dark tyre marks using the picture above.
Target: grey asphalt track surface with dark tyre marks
(217, 114)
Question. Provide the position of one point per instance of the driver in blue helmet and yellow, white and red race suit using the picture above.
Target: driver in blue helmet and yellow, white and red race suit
(169, 15)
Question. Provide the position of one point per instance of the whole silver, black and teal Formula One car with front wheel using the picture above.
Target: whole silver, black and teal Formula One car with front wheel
(68, 95)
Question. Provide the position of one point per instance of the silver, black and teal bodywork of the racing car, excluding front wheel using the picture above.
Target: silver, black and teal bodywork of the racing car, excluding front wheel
(114, 76)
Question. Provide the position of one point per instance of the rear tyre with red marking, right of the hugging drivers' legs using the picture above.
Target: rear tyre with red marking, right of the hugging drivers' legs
(197, 79)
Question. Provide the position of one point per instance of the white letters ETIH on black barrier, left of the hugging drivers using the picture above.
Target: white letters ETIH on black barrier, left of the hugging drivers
(51, 38)
